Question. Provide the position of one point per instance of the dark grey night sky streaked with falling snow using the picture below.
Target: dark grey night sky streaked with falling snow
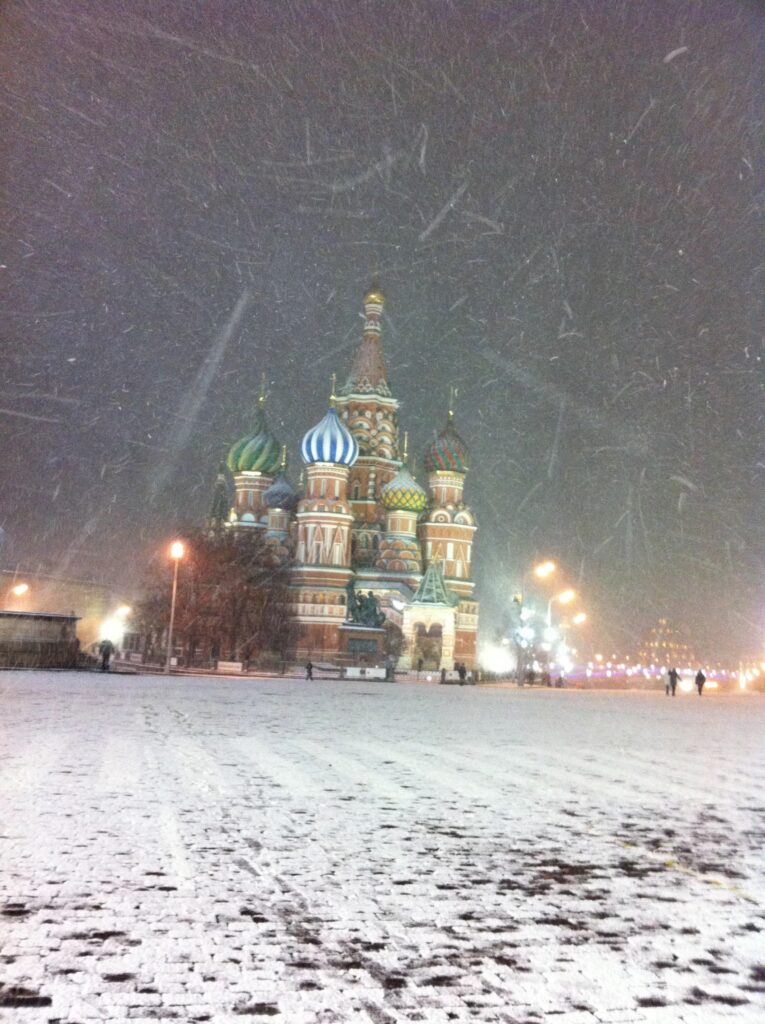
(563, 202)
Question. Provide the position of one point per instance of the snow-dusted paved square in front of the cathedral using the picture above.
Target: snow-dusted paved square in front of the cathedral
(208, 849)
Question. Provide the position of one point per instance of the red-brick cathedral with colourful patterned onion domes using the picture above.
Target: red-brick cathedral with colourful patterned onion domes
(364, 533)
